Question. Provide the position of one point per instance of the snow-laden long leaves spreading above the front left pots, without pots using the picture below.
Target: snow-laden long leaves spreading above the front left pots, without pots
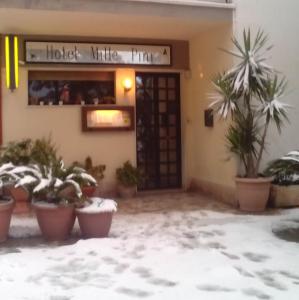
(47, 183)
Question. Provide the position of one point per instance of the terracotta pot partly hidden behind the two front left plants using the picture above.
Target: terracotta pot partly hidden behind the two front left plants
(21, 197)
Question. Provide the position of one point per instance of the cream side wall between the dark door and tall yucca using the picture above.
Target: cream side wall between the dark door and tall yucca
(207, 153)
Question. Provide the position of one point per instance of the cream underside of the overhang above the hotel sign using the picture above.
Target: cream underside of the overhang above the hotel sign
(52, 22)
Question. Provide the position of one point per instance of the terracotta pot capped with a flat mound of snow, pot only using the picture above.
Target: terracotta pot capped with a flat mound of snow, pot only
(94, 225)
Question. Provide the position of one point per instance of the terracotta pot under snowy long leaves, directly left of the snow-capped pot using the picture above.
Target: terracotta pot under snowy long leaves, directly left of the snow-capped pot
(55, 222)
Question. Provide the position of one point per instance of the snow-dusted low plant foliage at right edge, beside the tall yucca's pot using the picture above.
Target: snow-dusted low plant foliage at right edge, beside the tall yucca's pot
(285, 170)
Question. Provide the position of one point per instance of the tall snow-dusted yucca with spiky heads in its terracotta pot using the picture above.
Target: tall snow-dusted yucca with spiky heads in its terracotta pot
(250, 94)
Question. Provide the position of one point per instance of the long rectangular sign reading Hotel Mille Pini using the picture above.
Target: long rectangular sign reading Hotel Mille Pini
(90, 53)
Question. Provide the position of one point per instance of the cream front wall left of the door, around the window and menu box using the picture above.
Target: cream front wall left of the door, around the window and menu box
(64, 124)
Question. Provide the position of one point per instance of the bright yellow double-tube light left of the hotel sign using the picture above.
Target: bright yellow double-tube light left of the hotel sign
(12, 62)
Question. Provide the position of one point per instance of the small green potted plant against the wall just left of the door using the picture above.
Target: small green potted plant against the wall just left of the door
(128, 177)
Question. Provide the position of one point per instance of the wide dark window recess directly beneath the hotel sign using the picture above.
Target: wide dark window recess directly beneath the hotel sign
(71, 87)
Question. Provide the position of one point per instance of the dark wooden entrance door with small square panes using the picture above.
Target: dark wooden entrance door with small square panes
(158, 130)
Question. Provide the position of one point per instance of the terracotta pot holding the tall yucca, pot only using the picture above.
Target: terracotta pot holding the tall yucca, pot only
(253, 193)
